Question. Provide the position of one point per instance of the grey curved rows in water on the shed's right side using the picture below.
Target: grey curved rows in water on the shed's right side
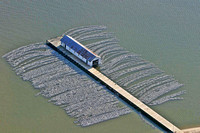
(136, 75)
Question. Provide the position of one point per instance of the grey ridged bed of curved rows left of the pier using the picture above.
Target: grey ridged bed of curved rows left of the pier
(65, 85)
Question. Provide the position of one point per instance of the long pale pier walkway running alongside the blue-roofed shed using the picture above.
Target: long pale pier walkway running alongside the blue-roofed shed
(144, 109)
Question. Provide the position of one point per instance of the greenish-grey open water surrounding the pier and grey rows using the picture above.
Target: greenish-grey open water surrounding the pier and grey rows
(164, 32)
